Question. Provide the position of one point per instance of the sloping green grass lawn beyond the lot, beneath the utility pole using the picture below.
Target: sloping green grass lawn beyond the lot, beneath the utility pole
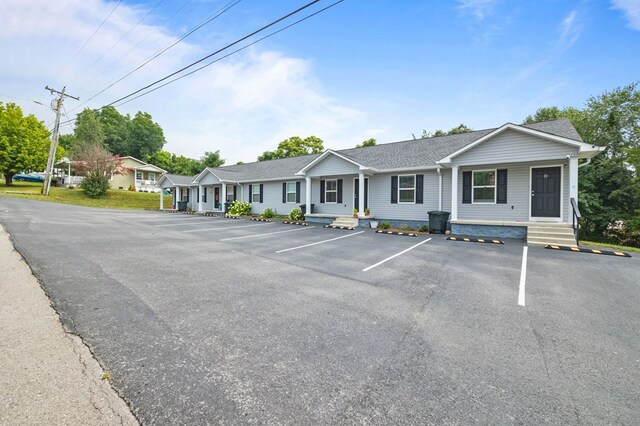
(115, 199)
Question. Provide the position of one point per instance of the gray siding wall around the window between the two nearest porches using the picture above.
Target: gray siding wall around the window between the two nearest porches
(380, 198)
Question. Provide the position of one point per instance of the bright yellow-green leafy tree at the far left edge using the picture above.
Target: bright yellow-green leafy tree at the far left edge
(24, 142)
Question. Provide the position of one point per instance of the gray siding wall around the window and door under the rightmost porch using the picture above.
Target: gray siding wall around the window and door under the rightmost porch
(517, 207)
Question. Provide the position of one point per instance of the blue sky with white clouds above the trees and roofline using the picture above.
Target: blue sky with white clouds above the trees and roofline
(358, 70)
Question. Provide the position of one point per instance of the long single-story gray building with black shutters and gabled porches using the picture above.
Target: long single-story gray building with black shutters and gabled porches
(494, 182)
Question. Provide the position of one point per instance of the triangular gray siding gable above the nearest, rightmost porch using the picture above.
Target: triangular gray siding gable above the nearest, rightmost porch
(511, 146)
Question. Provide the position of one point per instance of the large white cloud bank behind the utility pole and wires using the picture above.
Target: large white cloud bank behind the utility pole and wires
(241, 106)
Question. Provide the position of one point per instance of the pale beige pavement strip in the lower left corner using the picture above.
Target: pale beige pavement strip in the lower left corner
(47, 376)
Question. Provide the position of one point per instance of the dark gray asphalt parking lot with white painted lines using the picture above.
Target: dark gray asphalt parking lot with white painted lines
(206, 320)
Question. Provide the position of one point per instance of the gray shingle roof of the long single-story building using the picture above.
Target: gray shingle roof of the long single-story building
(407, 154)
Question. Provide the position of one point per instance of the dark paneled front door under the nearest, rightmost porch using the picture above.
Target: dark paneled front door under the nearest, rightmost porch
(545, 192)
